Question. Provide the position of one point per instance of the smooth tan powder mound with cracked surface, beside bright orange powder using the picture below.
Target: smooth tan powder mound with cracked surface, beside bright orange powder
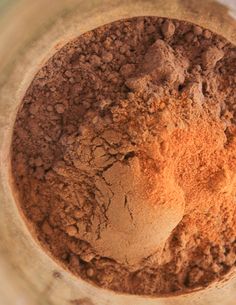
(138, 203)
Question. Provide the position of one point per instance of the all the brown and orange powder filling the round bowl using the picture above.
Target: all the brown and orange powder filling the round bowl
(123, 156)
